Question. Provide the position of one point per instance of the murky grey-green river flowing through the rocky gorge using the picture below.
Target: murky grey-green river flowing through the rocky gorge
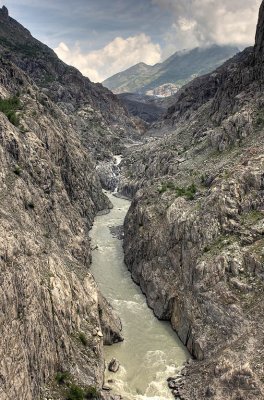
(151, 351)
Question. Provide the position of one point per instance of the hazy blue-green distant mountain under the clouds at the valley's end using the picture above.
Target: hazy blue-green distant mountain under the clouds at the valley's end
(178, 69)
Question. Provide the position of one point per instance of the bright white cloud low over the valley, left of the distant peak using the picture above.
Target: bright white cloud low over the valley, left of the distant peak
(116, 56)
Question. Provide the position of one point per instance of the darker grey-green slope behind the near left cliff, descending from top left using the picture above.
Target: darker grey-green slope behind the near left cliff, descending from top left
(96, 113)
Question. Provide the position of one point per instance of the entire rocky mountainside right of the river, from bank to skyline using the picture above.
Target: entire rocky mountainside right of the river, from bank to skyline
(194, 232)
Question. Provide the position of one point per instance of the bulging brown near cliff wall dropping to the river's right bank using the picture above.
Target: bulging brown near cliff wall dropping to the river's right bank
(200, 263)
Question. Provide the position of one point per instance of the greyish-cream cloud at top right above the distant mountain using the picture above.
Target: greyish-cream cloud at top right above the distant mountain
(203, 22)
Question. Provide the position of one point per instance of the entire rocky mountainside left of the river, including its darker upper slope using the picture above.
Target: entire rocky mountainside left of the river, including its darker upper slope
(55, 125)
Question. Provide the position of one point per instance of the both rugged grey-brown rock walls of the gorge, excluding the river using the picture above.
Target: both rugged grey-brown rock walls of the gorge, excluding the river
(193, 236)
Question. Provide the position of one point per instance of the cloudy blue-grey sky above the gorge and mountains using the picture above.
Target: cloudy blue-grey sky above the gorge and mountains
(104, 37)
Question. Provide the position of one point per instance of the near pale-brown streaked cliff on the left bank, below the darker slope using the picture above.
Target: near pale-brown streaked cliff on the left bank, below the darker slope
(53, 319)
